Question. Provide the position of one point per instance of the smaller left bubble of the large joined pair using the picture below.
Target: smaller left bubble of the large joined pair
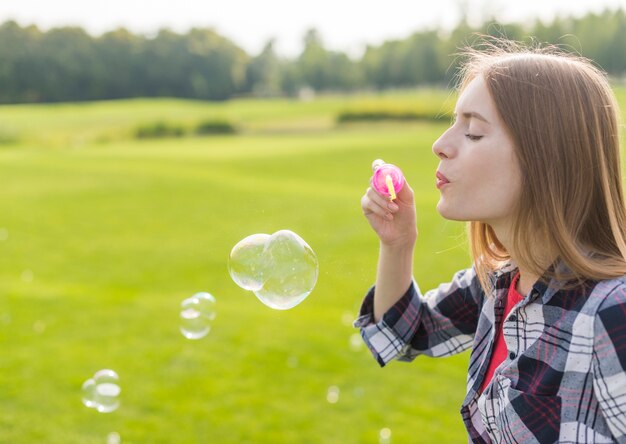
(247, 265)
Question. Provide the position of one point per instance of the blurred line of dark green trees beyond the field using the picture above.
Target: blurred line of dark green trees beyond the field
(68, 64)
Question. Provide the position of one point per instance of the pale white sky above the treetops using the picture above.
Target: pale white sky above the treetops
(344, 25)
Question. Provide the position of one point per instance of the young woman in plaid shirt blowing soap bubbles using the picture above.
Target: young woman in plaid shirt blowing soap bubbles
(532, 162)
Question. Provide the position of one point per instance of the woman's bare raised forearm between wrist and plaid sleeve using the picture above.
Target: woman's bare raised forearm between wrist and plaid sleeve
(394, 275)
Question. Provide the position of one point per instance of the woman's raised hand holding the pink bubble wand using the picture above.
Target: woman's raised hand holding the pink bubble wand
(393, 221)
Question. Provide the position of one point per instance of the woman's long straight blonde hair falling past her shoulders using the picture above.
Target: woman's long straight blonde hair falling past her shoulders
(564, 121)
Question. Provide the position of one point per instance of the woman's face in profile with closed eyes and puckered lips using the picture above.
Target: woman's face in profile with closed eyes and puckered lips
(478, 176)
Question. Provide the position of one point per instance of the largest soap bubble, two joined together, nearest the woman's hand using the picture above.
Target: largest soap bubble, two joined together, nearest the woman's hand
(281, 269)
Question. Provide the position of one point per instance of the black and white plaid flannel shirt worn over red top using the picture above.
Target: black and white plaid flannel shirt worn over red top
(564, 379)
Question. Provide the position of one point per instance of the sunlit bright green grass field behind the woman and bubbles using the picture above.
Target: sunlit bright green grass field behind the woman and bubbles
(102, 236)
